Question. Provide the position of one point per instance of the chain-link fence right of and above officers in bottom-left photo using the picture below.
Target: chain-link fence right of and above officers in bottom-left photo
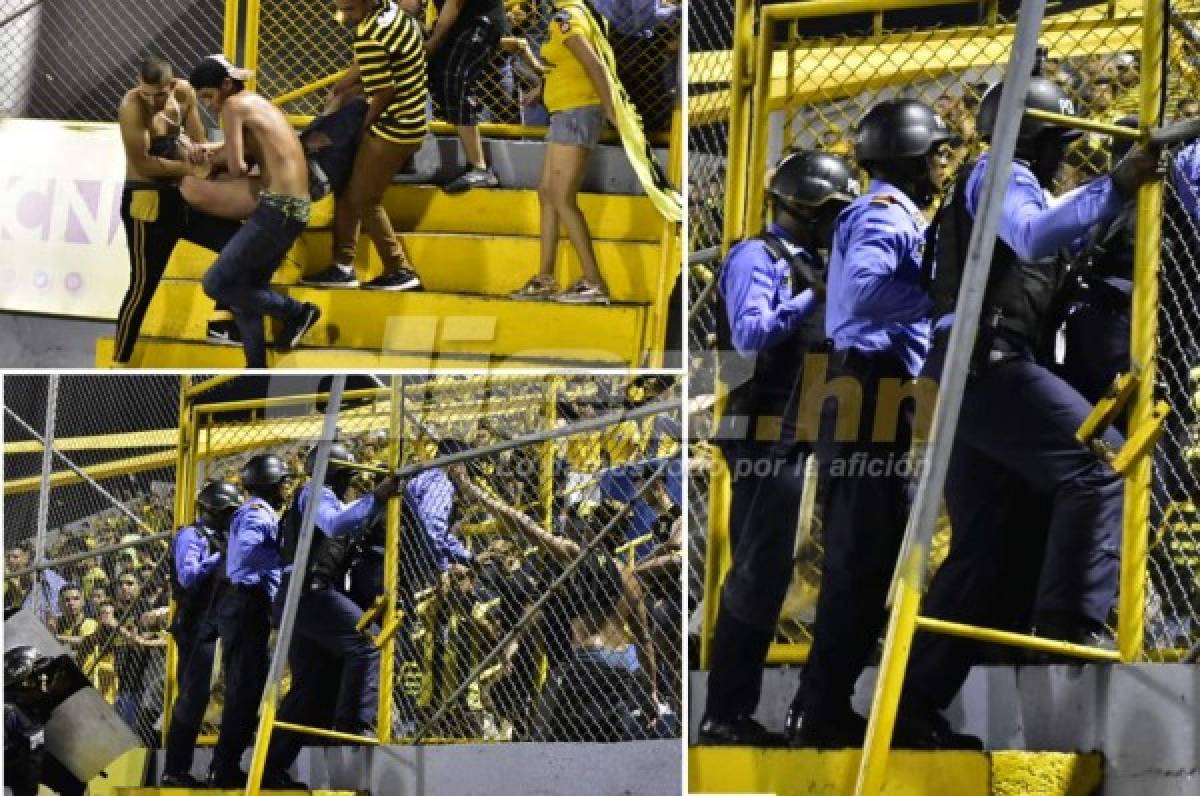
(512, 617)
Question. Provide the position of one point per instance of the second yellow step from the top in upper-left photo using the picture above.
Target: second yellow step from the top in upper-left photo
(482, 265)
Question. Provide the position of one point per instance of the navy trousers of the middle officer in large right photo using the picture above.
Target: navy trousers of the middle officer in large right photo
(867, 499)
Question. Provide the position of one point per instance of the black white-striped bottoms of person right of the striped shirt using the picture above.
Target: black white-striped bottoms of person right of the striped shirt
(457, 68)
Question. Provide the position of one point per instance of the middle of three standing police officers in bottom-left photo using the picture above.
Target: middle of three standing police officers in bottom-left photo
(255, 568)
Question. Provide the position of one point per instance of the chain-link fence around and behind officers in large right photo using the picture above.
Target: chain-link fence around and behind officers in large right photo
(817, 80)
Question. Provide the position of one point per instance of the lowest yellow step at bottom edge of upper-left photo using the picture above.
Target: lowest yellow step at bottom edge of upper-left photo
(190, 355)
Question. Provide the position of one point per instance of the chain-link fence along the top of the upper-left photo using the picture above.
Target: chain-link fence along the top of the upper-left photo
(71, 61)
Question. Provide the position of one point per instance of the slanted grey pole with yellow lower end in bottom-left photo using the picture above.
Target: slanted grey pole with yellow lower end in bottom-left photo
(296, 585)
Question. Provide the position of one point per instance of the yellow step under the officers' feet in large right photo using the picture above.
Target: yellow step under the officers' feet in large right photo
(791, 773)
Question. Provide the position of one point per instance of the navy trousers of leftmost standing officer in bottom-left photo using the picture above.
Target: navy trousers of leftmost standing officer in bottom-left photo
(196, 650)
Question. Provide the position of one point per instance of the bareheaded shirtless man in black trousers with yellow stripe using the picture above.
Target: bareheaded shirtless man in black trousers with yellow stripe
(164, 141)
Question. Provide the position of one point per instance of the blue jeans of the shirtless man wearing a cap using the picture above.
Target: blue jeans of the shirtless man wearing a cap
(242, 276)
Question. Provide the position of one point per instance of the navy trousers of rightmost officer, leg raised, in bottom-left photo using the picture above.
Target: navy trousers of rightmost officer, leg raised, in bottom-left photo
(335, 674)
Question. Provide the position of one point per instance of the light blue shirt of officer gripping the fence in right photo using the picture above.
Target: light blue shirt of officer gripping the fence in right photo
(1031, 225)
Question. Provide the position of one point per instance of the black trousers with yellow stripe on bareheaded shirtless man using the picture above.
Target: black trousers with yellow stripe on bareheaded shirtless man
(155, 219)
